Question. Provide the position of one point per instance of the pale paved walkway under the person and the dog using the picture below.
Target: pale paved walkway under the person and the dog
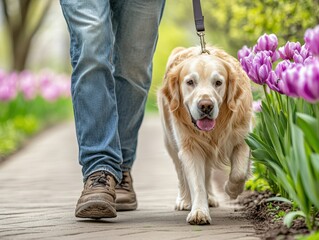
(40, 185)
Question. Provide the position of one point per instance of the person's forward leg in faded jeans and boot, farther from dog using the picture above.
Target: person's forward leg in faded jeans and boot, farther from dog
(94, 103)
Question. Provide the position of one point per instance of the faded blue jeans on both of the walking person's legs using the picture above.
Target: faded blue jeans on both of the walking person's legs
(112, 47)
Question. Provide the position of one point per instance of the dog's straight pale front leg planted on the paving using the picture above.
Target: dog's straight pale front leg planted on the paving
(194, 168)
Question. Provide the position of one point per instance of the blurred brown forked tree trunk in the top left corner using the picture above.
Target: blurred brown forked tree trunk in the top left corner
(23, 18)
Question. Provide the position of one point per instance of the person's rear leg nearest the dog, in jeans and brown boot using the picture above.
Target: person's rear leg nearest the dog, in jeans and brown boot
(135, 25)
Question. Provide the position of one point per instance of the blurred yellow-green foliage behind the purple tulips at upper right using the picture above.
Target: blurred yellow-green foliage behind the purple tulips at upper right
(243, 21)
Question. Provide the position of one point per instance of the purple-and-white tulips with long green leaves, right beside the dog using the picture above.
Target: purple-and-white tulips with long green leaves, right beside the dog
(285, 142)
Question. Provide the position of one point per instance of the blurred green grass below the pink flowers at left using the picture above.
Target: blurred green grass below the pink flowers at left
(22, 119)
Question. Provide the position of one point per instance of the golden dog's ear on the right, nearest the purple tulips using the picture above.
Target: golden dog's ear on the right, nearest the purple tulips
(234, 91)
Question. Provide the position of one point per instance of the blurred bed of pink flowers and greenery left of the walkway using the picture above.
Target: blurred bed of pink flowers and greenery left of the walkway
(28, 103)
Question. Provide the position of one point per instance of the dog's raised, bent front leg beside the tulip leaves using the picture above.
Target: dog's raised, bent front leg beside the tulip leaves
(239, 171)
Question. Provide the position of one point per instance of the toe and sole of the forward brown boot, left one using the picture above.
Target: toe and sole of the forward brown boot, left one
(95, 209)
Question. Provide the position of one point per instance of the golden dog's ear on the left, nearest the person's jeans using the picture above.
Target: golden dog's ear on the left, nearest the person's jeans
(171, 88)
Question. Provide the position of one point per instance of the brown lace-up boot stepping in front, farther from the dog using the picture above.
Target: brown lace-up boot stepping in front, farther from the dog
(98, 197)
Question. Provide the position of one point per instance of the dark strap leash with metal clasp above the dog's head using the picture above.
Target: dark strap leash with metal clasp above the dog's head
(199, 24)
